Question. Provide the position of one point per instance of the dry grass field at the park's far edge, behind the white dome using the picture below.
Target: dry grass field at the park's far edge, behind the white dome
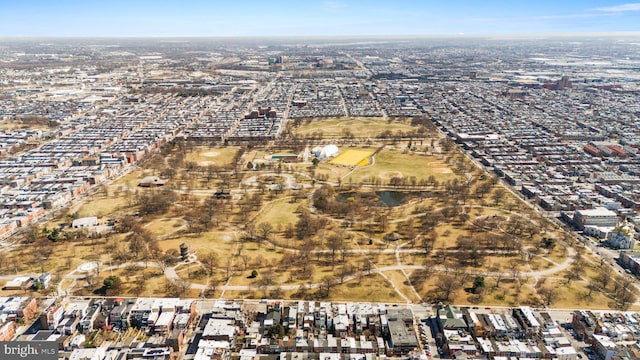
(367, 127)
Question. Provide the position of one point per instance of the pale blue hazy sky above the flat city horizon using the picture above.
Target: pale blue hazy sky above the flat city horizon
(189, 18)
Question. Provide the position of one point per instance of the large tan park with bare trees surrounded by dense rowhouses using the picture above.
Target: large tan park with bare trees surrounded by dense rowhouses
(399, 215)
